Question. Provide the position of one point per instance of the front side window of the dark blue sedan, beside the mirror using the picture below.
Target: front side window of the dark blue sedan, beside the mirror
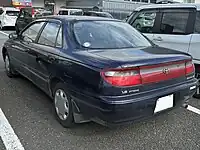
(32, 31)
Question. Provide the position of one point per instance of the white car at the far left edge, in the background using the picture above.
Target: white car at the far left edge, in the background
(8, 16)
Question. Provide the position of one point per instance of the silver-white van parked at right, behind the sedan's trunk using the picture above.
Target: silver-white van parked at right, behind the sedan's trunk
(175, 26)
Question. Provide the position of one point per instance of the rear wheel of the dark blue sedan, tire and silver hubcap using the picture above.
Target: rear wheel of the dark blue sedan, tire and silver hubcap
(61, 101)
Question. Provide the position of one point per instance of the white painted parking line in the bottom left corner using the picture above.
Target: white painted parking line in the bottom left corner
(8, 135)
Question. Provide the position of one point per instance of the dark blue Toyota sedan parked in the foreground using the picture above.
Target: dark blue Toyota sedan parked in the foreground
(99, 69)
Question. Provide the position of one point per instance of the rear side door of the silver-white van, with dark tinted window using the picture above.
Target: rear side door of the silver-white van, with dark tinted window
(175, 29)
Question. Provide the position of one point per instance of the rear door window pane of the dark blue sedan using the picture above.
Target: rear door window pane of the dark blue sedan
(49, 34)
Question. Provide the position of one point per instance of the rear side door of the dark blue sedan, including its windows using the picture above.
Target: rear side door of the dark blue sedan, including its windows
(44, 53)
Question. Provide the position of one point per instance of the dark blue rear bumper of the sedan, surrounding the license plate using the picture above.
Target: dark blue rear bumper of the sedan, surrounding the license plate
(116, 111)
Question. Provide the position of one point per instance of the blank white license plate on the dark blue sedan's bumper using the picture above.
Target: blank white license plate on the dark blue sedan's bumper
(164, 103)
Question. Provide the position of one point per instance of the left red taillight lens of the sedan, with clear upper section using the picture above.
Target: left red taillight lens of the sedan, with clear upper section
(122, 77)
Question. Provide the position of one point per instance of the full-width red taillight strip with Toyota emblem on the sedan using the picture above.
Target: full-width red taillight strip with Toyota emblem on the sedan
(147, 74)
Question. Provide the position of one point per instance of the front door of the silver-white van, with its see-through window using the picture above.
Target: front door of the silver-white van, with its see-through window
(145, 21)
